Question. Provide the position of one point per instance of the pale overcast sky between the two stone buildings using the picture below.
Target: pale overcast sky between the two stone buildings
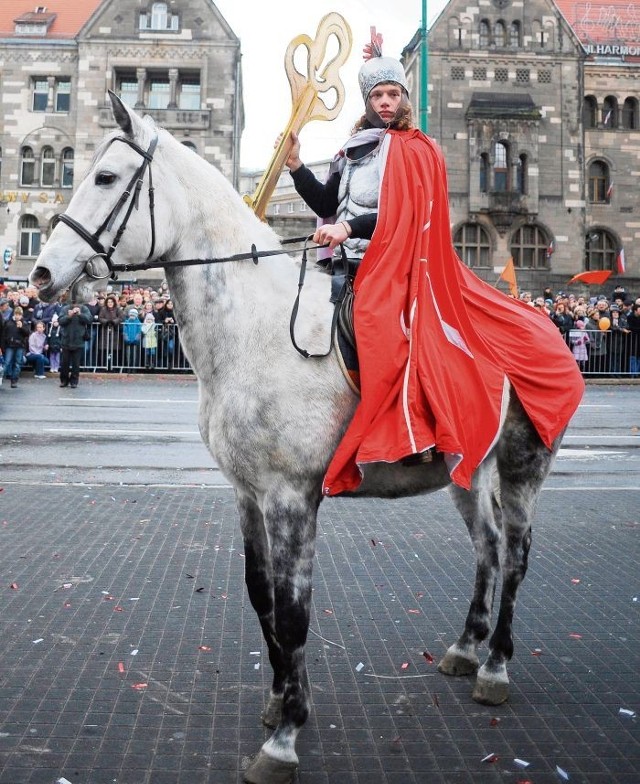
(266, 29)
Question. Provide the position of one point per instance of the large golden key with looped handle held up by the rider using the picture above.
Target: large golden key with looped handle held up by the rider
(306, 92)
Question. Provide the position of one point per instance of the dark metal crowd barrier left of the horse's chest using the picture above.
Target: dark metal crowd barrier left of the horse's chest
(107, 351)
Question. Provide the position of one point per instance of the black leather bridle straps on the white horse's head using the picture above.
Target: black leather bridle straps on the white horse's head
(131, 194)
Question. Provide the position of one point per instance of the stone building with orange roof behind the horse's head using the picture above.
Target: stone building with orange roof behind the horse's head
(178, 61)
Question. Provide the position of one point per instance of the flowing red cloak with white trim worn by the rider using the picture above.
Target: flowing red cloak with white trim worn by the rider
(438, 346)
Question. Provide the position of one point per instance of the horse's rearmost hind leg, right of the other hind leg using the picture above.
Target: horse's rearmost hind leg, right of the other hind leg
(523, 464)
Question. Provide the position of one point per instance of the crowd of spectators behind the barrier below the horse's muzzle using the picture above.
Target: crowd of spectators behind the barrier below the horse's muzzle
(128, 327)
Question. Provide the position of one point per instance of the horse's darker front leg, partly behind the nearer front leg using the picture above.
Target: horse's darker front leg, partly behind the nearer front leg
(258, 575)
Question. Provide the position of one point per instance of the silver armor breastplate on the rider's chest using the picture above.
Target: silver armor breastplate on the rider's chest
(358, 195)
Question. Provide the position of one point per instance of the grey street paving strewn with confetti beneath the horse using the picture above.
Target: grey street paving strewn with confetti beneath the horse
(130, 654)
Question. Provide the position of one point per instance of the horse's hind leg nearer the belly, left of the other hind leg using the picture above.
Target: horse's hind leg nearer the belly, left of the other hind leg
(480, 513)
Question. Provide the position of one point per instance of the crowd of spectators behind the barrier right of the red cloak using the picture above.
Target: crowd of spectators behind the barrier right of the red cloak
(603, 332)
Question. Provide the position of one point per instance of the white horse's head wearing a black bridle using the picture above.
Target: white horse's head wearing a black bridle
(110, 217)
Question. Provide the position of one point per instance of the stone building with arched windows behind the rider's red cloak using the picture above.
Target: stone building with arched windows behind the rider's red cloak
(535, 104)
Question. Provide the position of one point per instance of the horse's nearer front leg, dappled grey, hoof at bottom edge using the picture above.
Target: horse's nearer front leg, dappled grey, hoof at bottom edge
(290, 522)
